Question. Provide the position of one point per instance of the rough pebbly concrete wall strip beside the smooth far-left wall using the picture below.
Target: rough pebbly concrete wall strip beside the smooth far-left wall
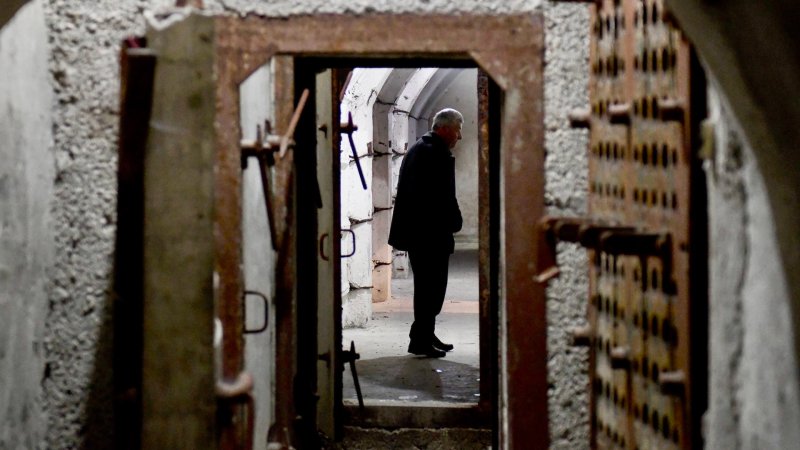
(85, 39)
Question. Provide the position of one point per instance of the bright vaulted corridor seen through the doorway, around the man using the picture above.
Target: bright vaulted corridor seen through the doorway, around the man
(392, 108)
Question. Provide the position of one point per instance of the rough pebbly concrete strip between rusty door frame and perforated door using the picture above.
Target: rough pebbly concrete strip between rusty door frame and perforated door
(566, 84)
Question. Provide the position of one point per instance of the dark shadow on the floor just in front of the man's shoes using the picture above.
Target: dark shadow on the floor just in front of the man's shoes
(412, 379)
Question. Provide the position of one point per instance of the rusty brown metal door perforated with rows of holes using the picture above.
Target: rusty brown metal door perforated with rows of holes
(645, 232)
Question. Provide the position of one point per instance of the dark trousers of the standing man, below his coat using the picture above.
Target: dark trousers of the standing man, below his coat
(430, 284)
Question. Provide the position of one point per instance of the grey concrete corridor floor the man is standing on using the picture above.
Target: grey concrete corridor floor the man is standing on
(390, 375)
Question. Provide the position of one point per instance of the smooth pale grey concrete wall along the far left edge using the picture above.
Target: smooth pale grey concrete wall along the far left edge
(26, 235)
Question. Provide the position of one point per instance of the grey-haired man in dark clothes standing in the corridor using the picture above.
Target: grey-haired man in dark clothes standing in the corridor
(426, 215)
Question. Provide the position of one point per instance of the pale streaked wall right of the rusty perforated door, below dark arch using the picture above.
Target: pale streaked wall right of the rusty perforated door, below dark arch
(754, 401)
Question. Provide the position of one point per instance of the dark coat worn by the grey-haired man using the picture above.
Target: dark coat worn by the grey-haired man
(426, 212)
